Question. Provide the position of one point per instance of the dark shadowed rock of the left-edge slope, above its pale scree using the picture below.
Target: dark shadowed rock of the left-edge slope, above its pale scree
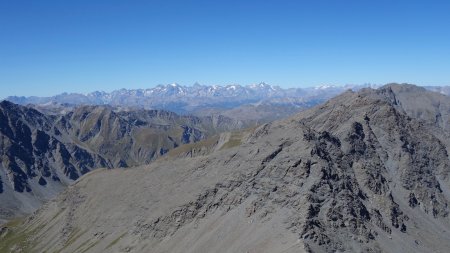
(30, 150)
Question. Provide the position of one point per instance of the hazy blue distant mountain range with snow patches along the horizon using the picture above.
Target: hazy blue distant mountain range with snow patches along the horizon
(192, 99)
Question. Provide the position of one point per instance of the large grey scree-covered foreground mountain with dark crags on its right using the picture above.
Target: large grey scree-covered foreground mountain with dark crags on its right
(363, 172)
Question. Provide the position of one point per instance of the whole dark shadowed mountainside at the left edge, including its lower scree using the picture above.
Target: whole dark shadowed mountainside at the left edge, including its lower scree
(36, 159)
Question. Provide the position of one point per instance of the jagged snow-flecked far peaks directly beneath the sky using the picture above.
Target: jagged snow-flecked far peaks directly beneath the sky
(164, 94)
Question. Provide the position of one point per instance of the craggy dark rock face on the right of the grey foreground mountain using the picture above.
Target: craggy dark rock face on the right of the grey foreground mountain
(385, 148)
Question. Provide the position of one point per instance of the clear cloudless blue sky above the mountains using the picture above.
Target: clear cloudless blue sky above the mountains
(47, 47)
